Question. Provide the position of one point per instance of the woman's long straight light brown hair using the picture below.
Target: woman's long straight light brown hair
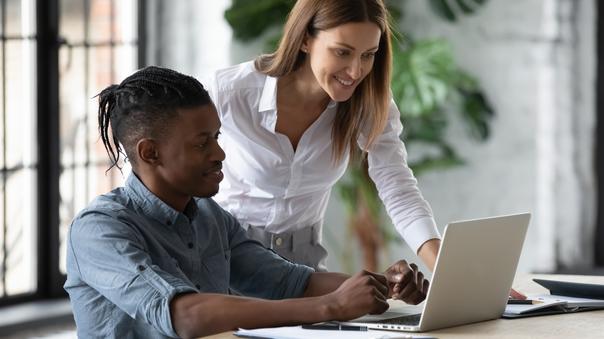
(370, 100)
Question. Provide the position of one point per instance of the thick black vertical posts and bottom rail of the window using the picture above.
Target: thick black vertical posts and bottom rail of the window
(49, 279)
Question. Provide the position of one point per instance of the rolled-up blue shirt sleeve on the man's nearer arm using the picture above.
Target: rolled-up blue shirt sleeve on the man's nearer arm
(110, 257)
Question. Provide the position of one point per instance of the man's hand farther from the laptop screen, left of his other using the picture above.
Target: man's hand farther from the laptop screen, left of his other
(364, 292)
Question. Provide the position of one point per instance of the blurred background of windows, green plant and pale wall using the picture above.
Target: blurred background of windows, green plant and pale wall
(499, 99)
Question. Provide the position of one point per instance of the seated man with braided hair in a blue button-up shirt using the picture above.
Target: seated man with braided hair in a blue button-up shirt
(158, 258)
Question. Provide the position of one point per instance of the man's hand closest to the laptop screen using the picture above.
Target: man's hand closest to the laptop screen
(406, 283)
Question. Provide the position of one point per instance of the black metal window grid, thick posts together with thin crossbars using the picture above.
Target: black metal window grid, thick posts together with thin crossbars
(49, 168)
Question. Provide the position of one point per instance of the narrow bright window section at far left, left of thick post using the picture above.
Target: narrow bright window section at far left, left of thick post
(18, 149)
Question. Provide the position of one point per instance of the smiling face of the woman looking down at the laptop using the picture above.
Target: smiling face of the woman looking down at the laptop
(341, 57)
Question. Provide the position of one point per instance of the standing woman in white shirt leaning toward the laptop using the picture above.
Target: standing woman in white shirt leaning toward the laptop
(292, 118)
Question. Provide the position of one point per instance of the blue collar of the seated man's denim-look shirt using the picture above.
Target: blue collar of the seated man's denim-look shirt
(153, 206)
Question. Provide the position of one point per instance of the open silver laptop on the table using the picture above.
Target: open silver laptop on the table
(472, 278)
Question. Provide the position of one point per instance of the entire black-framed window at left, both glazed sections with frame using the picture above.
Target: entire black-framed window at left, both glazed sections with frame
(56, 55)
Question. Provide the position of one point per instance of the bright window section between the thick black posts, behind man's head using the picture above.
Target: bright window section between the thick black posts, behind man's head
(98, 48)
